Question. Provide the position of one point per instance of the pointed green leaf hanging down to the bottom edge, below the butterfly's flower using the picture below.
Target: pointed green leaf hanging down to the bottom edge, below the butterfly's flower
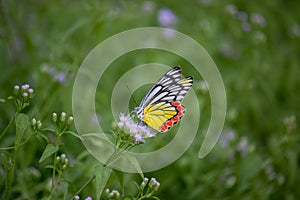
(102, 175)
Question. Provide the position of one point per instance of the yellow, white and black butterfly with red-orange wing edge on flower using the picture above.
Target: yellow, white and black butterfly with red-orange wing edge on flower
(161, 107)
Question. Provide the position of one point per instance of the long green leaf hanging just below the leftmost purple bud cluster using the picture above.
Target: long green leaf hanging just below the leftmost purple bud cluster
(22, 122)
